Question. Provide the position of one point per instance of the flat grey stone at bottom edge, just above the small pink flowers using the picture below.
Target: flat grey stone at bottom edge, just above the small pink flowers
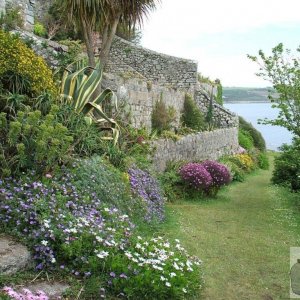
(53, 290)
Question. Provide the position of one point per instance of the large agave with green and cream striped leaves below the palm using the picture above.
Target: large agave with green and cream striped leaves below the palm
(80, 86)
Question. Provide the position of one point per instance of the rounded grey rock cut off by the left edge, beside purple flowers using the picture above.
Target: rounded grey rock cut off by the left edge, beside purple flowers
(13, 256)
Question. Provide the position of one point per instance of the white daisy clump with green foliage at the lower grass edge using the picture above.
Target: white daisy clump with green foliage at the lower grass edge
(159, 266)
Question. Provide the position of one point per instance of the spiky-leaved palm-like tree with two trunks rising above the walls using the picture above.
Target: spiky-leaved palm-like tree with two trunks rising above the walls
(104, 16)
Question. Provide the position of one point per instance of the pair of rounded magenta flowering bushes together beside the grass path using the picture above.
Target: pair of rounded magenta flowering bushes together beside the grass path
(207, 176)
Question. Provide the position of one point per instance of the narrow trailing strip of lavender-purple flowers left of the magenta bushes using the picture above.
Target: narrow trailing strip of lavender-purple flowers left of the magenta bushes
(145, 186)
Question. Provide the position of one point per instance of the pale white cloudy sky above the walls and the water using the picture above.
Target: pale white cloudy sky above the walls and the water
(219, 34)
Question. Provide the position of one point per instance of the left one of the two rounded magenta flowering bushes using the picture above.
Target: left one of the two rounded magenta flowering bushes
(195, 175)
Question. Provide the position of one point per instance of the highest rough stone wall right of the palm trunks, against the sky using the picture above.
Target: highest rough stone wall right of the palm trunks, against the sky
(167, 70)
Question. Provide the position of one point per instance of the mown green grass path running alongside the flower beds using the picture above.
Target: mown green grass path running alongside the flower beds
(243, 237)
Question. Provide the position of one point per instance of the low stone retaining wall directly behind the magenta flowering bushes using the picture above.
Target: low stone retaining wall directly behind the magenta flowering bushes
(200, 146)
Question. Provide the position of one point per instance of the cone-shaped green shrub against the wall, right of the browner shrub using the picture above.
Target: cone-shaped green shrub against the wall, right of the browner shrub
(192, 117)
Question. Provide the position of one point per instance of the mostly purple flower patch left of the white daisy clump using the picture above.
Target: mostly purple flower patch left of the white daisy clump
(61, 224)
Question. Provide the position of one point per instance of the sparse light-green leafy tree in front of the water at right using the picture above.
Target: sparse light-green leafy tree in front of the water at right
(282, 70)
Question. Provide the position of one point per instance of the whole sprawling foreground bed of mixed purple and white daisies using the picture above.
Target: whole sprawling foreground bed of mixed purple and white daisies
(71, 230)
